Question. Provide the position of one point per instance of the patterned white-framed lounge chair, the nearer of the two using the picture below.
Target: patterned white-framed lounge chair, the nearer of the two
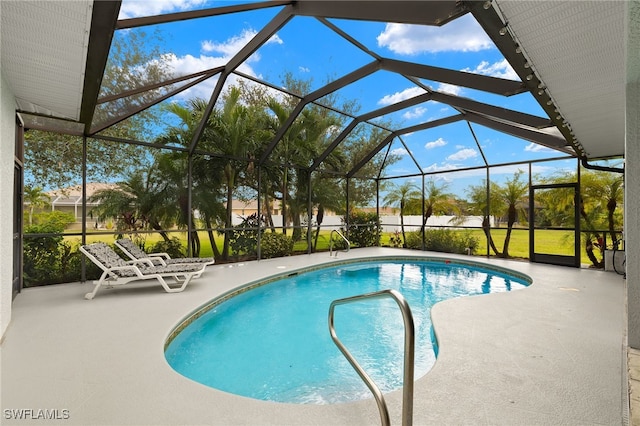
(117, 271)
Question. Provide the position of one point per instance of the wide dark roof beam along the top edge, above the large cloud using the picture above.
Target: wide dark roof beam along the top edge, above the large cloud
(435, 13)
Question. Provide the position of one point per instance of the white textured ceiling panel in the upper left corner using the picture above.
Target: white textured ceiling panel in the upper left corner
(44, 51)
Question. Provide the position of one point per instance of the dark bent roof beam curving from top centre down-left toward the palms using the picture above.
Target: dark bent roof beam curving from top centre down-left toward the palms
(247, 50)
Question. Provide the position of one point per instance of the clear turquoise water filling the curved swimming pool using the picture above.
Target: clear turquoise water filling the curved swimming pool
(272, 342)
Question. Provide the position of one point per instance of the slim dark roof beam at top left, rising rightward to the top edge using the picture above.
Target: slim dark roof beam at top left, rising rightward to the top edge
(194, 14)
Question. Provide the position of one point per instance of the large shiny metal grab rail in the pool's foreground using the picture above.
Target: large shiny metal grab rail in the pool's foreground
(409, 355)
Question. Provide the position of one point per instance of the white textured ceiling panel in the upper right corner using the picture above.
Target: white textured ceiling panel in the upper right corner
(577, 49)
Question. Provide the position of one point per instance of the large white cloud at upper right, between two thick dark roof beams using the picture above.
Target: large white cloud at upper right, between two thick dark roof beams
(463, 34)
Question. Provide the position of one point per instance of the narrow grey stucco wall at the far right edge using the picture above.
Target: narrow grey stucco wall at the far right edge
(632, 173)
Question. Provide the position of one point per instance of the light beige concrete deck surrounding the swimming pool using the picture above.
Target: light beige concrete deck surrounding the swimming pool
(553, 353)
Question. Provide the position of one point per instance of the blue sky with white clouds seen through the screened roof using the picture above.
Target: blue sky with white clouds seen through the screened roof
(308, 49)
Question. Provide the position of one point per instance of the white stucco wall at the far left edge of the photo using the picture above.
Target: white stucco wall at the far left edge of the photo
(7, 141)
